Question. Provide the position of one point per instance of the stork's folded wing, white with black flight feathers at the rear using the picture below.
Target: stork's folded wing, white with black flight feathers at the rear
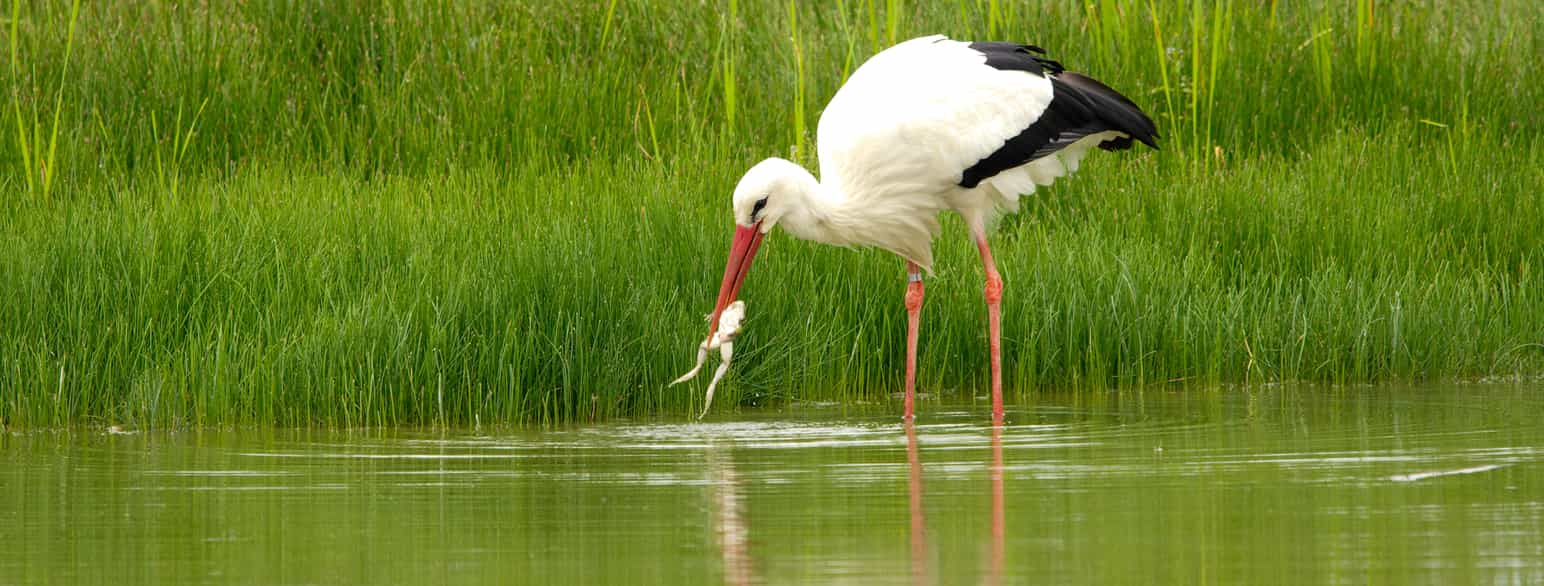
(933, 113)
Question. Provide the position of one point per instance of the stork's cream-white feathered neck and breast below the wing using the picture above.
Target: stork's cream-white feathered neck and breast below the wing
(825, 212)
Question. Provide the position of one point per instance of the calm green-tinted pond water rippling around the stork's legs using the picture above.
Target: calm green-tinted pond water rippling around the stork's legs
(1426, 485)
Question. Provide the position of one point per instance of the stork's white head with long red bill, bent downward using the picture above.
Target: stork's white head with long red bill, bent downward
(762, 198)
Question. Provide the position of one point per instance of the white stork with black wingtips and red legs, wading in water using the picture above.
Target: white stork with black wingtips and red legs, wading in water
(929, 126)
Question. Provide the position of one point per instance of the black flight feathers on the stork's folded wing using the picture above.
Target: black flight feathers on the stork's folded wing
(1080, 107)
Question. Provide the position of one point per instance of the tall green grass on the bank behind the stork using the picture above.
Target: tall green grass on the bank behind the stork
(401, 214)
